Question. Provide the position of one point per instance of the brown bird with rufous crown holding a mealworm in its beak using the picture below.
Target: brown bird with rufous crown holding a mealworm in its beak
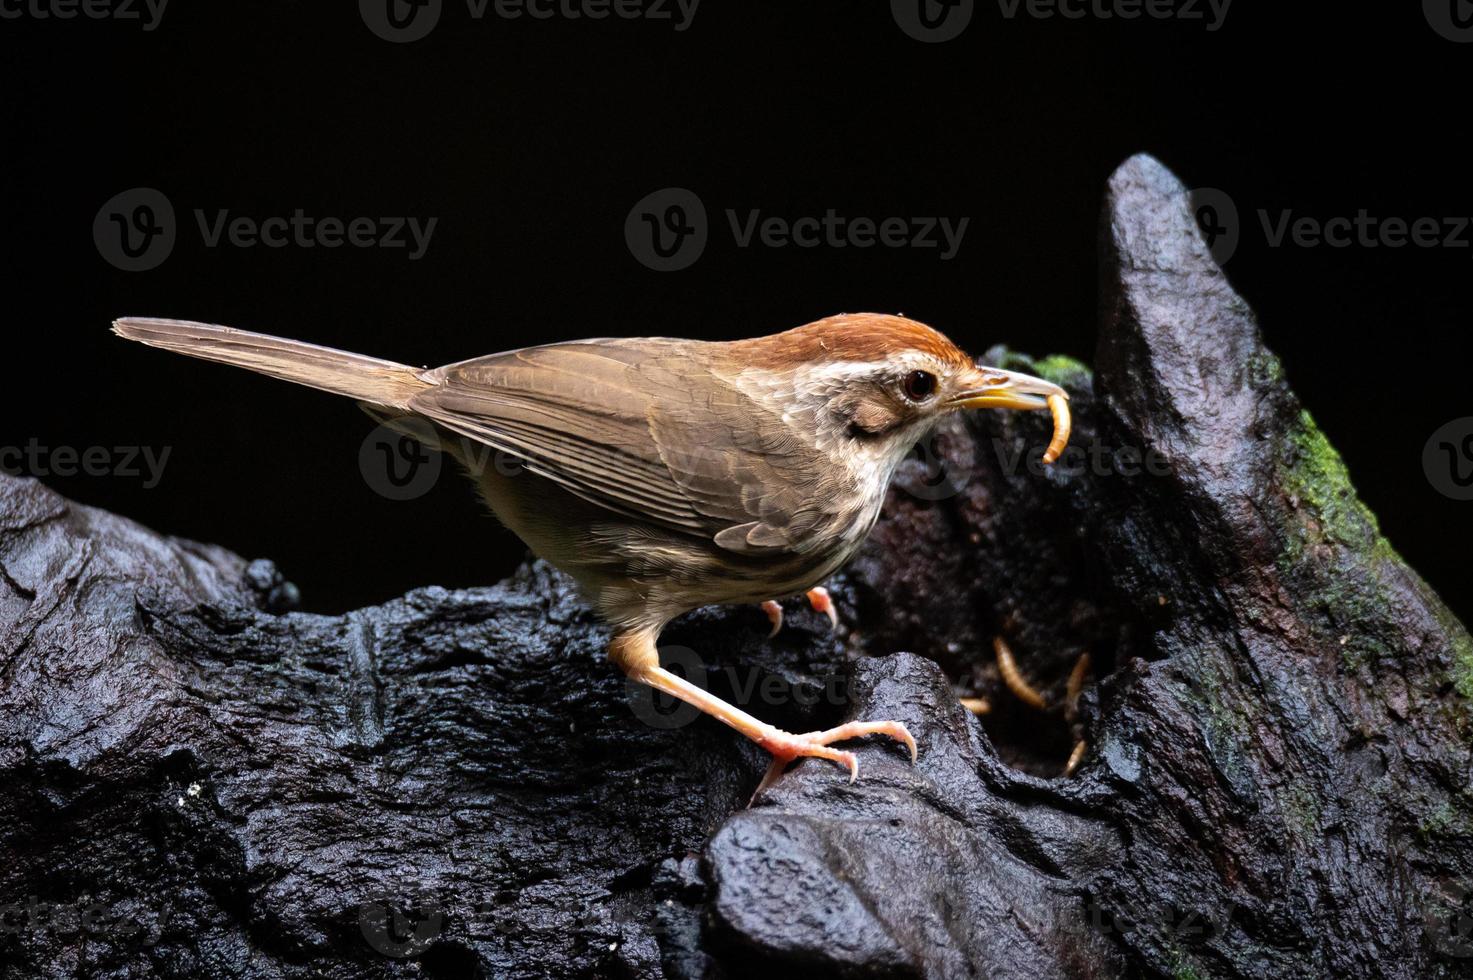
(665, 475)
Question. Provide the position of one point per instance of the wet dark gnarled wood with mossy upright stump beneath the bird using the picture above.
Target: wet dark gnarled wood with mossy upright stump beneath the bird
(201, 782)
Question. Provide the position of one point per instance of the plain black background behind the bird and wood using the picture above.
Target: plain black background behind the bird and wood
(531, 141)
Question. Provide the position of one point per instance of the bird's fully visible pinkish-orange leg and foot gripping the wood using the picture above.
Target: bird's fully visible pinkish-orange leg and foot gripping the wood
(637, 657)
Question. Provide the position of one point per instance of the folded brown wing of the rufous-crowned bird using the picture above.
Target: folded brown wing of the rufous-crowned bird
(643, 430)
